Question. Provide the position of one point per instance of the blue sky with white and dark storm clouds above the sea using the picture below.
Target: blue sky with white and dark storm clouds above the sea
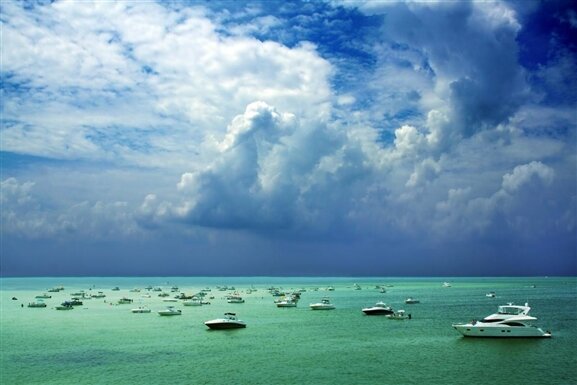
(328, 138)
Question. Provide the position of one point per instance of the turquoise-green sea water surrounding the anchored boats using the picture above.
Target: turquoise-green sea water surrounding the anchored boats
(100, 343)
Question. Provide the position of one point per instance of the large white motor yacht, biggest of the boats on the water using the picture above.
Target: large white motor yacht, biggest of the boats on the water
(509, 321)
